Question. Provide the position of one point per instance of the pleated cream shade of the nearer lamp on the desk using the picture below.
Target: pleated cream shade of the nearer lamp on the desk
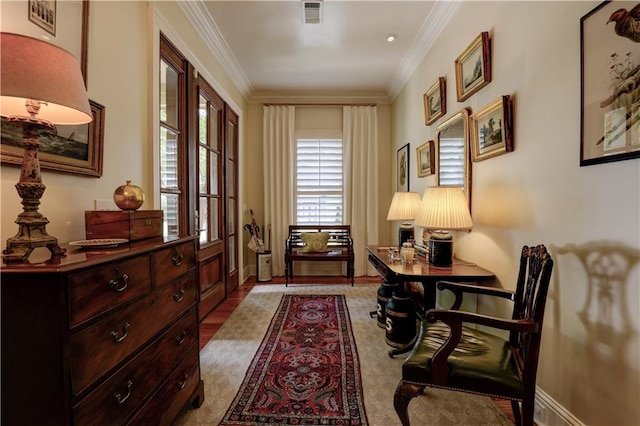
(444, 208)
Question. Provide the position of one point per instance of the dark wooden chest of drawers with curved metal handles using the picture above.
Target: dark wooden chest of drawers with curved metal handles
(106, 336)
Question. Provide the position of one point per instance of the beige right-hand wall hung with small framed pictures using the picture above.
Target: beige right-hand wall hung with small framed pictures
(539, 194)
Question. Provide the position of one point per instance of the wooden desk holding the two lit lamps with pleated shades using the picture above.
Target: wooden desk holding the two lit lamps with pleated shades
(420, 271)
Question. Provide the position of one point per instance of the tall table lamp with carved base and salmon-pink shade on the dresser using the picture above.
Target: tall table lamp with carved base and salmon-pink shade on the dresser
(41, 85)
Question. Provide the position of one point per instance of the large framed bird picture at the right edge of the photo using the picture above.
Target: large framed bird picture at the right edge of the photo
(610, 77)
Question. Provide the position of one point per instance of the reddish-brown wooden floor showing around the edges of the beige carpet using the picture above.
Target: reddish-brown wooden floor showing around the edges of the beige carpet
(212, 322)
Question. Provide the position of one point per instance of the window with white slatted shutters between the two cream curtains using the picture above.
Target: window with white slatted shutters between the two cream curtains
(319, 182)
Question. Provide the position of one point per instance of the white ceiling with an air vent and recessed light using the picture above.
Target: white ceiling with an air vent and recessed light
(270, 52)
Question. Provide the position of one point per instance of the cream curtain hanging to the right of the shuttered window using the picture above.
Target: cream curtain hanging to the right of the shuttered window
(360, 135)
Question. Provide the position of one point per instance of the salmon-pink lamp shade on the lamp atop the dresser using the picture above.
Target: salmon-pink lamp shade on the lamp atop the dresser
(40, 71)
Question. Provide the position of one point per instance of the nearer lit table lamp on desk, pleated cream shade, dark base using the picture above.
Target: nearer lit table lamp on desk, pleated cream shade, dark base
(443, 208)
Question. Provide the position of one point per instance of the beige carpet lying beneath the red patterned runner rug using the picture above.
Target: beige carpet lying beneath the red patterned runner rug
(225, 359)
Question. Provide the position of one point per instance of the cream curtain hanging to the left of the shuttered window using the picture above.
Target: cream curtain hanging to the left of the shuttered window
(278, 151)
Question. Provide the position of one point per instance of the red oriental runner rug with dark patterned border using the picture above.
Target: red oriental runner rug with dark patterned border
(306, 371)
